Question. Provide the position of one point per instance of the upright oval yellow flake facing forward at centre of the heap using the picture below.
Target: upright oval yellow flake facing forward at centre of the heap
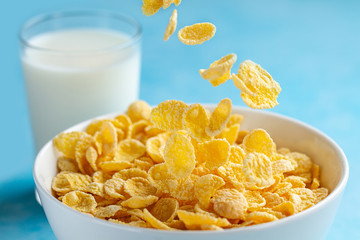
(179, 156)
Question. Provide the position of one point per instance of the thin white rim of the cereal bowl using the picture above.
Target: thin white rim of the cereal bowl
(332, 195)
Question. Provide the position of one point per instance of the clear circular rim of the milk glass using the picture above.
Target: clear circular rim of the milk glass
(72, 13)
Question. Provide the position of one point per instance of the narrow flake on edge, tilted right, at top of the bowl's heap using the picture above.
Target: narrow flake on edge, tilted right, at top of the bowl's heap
(219, 118)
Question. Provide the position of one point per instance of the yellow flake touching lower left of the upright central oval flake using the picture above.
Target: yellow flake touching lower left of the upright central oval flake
(161, 178)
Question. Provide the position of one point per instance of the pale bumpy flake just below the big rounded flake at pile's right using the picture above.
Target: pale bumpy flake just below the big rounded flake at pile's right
(257, 171)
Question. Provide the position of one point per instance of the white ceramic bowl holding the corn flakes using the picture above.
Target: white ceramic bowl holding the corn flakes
(312, 223)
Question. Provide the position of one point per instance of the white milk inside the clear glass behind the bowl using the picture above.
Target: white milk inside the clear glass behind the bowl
(75, 82)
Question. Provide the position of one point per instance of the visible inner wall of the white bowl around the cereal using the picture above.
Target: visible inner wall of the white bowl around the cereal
(285, 131)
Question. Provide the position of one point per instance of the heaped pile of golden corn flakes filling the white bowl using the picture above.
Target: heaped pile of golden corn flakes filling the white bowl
(182, 167)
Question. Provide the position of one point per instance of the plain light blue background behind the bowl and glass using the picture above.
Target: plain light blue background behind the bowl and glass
(310, 47)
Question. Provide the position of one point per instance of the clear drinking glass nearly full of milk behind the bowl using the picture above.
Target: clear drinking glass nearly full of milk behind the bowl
(78, 65)
